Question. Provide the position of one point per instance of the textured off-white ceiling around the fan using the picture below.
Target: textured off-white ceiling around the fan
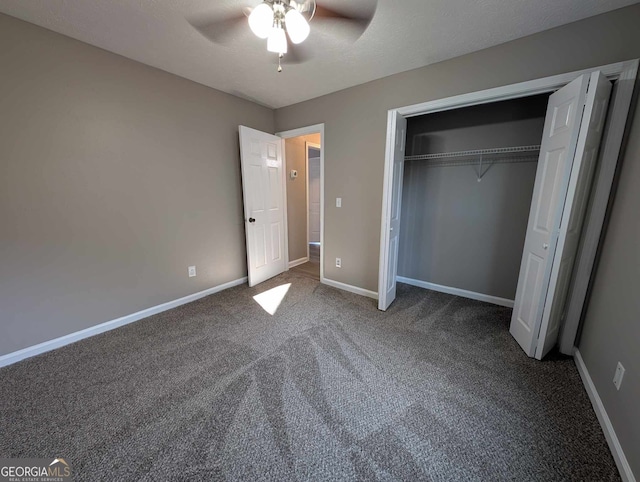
(403, 35)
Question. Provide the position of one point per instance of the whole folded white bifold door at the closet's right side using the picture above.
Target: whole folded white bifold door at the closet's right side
(568, 154)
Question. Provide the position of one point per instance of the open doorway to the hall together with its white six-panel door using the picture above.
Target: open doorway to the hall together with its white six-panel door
(266, 205)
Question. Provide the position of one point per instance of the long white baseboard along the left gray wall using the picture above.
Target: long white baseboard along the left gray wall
(34, 350)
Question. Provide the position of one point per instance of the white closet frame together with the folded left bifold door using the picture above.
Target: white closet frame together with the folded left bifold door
(623, 74)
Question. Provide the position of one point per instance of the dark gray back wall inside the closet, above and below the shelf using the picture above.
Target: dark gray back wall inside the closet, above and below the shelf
(456, 231)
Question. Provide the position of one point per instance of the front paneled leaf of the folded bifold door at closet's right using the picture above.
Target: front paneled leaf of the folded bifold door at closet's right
(559, 141)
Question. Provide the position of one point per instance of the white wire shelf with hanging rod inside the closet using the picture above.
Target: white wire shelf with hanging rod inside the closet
(498, 154)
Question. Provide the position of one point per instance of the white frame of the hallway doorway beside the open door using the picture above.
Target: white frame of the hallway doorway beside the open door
(304, 131)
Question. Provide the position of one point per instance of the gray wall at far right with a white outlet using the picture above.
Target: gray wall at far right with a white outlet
(611, 331)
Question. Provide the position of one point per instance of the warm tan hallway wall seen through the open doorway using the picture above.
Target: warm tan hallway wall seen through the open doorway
(297, 194)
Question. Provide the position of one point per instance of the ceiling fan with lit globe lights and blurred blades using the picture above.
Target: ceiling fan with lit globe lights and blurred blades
(285, 24)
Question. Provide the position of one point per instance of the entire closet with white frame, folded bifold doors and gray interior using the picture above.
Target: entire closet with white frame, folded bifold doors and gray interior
(501, 195)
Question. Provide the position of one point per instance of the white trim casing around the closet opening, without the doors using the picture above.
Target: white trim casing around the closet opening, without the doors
(625, 74)
